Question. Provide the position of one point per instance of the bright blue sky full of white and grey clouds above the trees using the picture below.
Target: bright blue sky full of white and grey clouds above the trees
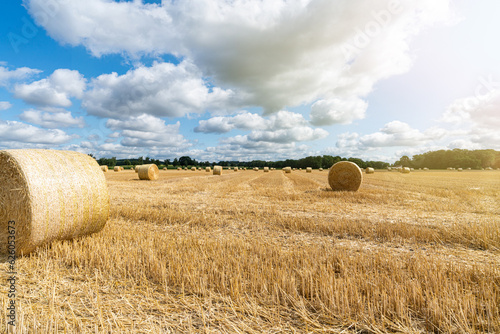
(250, 79)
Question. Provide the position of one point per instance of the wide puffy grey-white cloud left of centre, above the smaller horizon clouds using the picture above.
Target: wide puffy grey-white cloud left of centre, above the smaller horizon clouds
(162, 90)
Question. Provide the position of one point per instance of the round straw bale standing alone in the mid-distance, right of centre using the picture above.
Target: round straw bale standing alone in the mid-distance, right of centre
(345, 175)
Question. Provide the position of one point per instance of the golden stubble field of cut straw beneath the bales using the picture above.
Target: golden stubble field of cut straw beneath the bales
(272, 252)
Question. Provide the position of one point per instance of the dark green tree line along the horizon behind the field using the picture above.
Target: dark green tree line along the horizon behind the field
(442, 159)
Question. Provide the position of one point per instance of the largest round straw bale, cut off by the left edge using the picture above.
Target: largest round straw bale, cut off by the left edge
(49, 195)
